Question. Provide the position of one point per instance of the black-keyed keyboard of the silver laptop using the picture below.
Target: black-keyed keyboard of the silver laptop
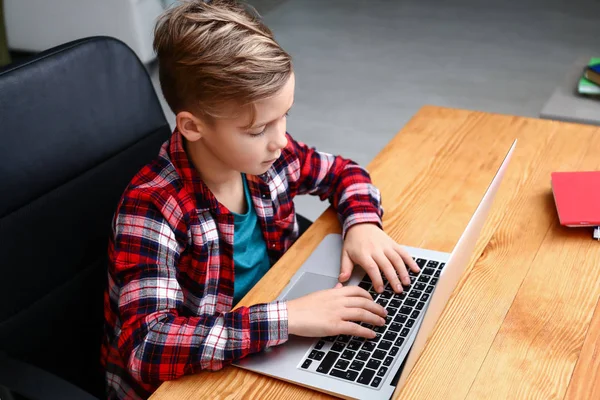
(366, 361)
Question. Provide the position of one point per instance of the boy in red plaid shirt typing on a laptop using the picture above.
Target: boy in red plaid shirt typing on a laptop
(201, 224)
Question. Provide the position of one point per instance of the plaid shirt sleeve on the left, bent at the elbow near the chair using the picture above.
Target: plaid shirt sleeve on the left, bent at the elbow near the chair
(156, 340)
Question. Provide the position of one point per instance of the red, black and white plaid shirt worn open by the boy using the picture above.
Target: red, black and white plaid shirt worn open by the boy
(170, 279)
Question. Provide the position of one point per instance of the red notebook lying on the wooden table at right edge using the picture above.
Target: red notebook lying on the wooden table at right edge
(577, 197)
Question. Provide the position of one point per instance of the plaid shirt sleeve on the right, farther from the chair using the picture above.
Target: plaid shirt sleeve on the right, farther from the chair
(346, 184)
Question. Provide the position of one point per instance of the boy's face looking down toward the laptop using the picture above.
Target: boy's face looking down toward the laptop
(230, 145)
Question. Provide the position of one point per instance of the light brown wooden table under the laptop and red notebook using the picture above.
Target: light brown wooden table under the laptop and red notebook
(523, 322)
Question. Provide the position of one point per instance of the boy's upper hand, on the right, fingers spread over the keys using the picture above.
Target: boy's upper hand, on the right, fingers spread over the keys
(370, 247)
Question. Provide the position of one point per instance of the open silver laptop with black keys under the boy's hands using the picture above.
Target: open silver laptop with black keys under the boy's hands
(353, 367)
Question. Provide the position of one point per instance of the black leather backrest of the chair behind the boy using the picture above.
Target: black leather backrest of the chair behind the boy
(76, 123)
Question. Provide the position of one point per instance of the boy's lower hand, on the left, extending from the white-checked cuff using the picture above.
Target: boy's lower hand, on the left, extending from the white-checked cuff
(331, 312)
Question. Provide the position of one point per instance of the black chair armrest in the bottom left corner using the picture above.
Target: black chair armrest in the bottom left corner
(35, 383)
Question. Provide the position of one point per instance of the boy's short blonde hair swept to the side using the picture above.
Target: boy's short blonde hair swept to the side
(212, 54)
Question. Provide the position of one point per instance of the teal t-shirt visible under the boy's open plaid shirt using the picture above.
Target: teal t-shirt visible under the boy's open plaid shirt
(250, 258)
